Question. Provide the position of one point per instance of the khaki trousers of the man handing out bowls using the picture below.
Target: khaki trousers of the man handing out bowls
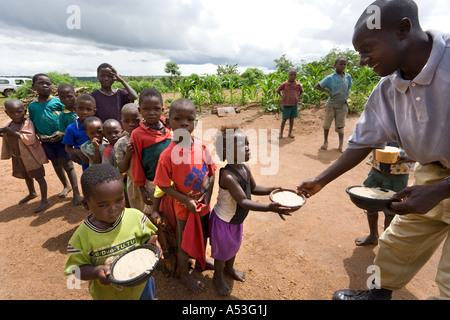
(411, 240)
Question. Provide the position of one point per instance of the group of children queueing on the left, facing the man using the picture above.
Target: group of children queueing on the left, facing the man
(144, 178)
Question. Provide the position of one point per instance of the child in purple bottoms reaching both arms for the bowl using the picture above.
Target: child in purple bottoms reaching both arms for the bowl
(236, 185)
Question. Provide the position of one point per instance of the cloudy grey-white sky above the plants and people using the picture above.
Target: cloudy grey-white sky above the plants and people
(138, 37)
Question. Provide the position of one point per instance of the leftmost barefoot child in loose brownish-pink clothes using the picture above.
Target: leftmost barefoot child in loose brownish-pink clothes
(21, 144)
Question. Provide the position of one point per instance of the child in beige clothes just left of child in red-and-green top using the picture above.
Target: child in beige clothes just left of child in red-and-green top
(124, 151)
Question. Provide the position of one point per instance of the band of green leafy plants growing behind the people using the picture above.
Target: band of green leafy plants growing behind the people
(252, 86)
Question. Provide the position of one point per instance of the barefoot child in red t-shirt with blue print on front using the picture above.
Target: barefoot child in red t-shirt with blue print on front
(187, 163)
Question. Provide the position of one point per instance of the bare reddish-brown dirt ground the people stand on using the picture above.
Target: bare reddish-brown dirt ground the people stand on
(306, 257)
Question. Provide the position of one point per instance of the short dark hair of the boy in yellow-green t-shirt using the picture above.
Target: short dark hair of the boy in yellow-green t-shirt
(96, 175)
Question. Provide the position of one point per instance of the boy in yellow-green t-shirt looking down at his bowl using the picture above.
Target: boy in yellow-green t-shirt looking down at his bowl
(108, 231)
